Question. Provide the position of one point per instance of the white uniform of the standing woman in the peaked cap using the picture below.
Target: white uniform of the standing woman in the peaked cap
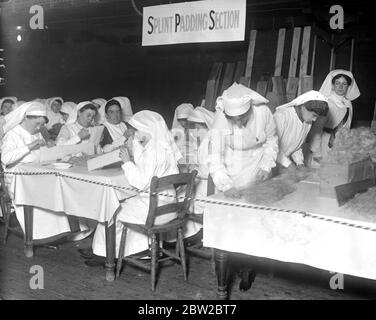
(240, 153)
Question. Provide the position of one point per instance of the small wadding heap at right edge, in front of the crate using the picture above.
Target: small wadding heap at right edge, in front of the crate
(363, 204)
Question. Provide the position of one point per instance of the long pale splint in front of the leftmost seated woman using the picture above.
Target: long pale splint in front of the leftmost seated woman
(59, 152)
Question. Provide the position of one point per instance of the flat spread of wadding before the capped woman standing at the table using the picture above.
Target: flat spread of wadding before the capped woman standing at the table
(272, 190)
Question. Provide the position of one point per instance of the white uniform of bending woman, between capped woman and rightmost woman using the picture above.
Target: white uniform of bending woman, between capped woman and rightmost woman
(292, 133)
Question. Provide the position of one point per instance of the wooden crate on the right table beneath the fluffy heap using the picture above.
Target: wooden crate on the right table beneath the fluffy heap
(332, 175)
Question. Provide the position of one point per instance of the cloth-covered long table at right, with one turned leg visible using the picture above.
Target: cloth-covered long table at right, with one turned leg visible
(301, 228)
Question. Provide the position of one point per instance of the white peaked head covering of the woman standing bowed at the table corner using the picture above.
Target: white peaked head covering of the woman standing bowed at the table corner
(235, 101)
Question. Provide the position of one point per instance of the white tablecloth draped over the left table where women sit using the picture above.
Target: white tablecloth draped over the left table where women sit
(72, 196)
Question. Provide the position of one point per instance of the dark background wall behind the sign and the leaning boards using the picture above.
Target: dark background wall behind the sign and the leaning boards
(83, 60)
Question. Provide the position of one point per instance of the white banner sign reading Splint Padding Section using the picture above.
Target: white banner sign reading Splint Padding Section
(196, 21)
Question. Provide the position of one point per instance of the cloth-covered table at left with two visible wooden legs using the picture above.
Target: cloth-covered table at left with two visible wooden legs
(74, 191)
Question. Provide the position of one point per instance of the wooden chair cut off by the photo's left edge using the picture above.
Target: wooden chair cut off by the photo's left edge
(6, 207)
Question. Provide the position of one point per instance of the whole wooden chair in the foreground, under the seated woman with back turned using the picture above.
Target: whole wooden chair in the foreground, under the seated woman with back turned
(154, 231)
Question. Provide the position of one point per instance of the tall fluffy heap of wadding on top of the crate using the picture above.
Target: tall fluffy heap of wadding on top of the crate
(351, 145)
